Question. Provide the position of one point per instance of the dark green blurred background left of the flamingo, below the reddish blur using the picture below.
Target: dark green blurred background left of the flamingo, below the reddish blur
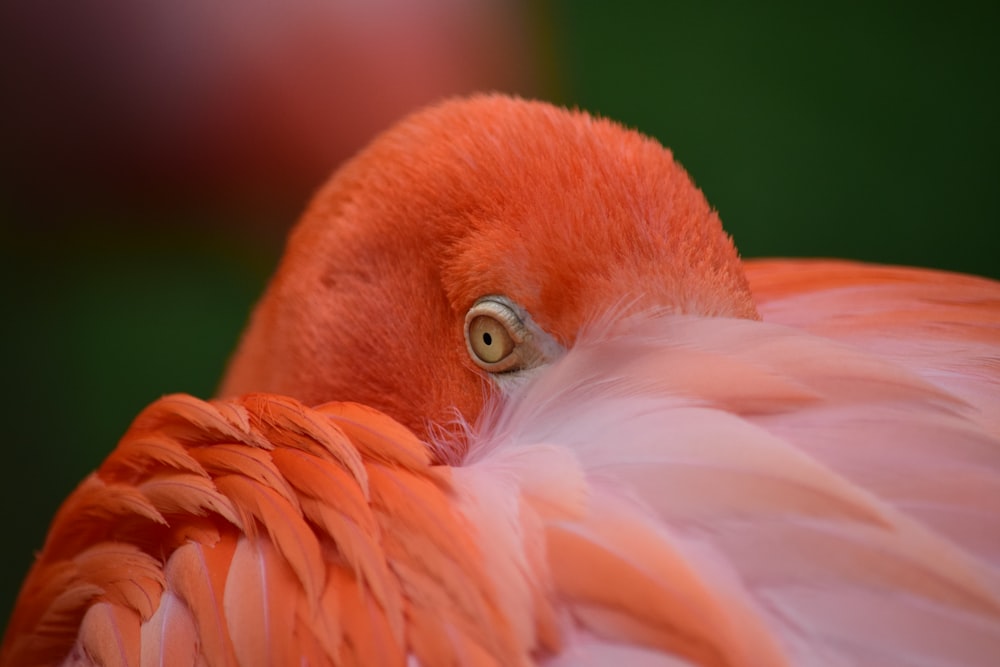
(98, 323)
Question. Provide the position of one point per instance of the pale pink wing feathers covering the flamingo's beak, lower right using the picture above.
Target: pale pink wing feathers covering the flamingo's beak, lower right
(784, 518)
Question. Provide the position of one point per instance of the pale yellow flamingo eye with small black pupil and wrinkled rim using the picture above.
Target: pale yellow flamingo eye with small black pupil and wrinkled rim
(493, 332)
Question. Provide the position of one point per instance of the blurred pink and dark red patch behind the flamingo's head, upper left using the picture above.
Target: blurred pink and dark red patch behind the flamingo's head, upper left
(239, 104)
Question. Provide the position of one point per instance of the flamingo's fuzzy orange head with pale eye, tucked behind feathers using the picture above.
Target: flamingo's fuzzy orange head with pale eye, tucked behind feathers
(467, 247)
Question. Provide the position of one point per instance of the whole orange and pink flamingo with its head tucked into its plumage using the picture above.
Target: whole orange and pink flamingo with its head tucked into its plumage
(513, 397)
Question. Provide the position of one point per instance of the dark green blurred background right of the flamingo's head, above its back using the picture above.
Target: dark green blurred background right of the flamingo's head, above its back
(865, 130)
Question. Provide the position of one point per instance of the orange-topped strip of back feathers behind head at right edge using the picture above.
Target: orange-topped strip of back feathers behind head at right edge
(945, 327)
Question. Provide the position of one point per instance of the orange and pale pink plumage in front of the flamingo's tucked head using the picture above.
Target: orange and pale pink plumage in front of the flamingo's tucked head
(677, 490)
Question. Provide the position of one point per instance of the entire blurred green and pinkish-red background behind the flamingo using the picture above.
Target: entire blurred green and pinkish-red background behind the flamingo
(154, 154)
